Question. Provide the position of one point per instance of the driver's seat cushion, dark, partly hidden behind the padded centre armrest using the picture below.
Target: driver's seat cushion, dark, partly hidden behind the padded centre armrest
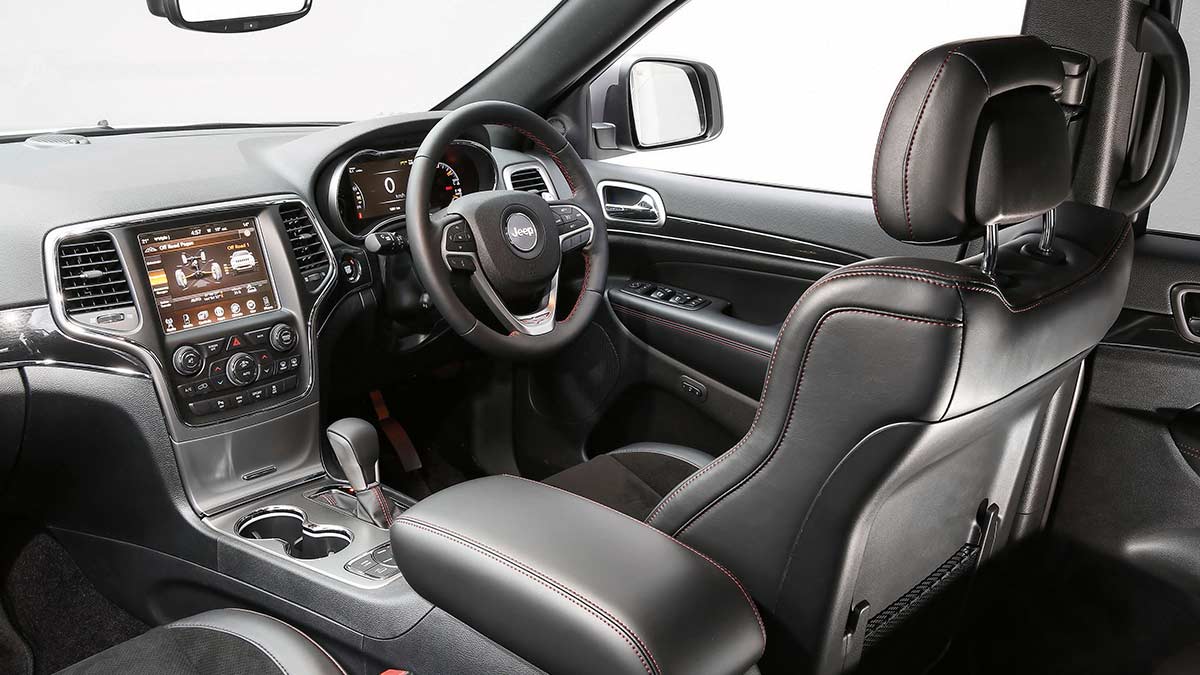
(634, 479)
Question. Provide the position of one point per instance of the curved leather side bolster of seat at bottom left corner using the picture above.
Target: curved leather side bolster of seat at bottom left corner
(289, 648)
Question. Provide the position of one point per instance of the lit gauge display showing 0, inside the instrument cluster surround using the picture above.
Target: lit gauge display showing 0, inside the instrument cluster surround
(379, 184)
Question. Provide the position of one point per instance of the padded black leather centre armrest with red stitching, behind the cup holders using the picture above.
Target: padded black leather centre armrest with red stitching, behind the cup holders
(572, 587)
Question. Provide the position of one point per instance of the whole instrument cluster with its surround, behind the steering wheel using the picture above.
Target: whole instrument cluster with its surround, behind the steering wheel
(370, 186)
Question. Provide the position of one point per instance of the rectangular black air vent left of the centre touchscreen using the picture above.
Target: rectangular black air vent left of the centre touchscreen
(92, 277)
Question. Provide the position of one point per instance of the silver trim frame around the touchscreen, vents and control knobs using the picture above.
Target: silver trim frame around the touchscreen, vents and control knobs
(163, 385)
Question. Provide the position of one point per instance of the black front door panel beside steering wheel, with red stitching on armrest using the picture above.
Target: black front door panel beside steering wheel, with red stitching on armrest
(691, 375)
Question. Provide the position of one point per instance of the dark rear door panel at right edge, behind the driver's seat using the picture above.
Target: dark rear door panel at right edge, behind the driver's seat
(1131, 486)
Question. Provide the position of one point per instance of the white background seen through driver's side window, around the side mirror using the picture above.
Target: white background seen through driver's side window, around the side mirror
(805, 85)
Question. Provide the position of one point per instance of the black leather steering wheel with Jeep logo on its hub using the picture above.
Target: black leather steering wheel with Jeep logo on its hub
(511, 243)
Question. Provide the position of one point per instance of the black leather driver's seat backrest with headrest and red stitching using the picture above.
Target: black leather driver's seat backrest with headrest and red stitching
(905, 397)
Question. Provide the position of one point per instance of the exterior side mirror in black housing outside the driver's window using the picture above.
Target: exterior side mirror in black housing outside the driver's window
(661, 103)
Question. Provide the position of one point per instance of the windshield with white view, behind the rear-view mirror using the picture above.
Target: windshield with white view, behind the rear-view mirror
(69, 64)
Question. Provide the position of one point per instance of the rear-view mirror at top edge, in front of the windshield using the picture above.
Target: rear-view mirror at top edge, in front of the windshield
(230, 16)
